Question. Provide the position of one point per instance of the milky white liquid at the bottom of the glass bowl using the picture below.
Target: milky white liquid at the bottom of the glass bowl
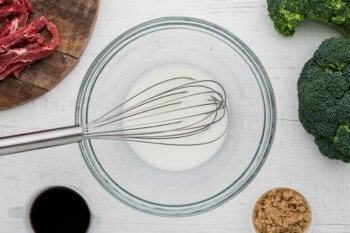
(170, 157)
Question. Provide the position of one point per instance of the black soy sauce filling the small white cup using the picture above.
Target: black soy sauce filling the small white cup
(60, 210)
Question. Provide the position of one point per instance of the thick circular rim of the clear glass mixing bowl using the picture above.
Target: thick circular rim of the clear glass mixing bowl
(224, 195)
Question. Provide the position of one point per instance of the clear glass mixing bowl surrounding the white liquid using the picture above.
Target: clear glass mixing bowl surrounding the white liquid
(252, 119)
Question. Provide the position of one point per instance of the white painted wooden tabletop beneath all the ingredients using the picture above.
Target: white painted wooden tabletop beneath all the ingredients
(294, 160)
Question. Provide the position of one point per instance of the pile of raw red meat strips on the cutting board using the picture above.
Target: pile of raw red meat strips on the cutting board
(22, 44)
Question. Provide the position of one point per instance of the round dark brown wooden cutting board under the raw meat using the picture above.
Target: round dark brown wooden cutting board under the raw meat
(75, 20)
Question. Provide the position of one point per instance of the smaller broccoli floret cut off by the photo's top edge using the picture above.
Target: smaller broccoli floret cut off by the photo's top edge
(288, 14)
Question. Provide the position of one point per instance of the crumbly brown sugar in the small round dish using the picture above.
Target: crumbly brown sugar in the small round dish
(281, 210)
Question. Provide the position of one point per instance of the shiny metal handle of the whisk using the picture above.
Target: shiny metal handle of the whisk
(40, 139)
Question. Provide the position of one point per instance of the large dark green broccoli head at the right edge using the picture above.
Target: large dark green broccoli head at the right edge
(324, 98)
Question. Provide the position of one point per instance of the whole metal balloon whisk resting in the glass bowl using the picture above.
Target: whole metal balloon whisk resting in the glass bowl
(178, 111)
